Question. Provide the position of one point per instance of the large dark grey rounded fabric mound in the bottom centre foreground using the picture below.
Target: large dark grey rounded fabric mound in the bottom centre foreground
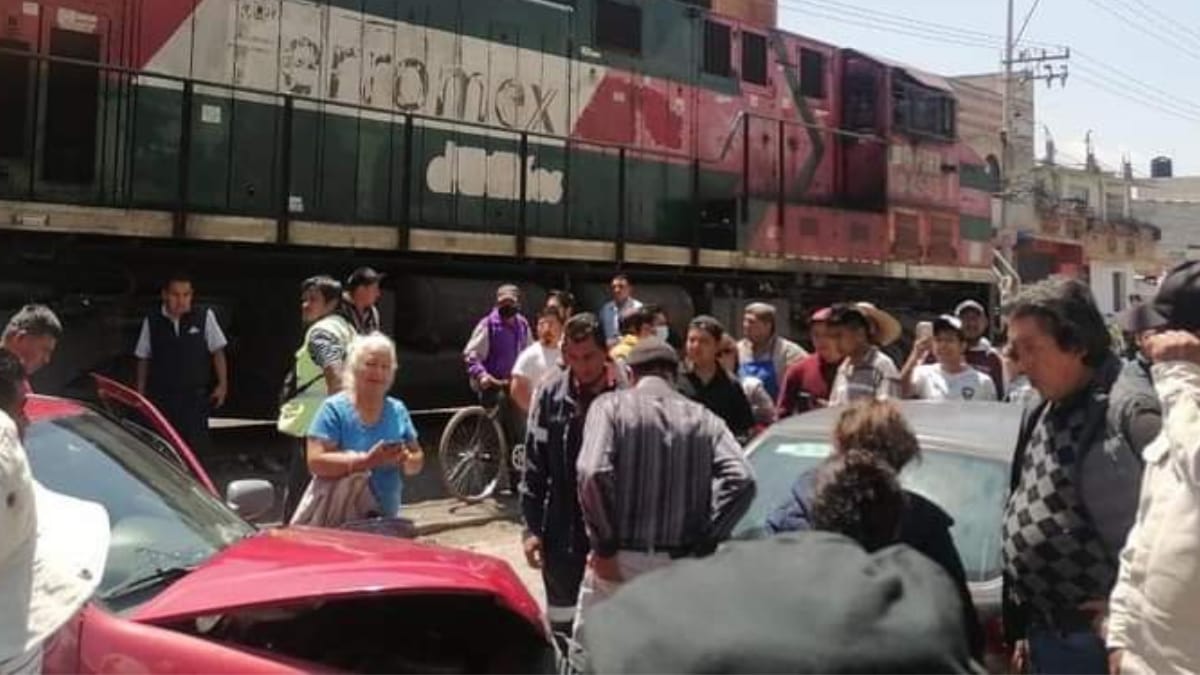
(812, 602)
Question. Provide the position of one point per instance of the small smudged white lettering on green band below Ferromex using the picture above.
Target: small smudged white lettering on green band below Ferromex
(475, 172)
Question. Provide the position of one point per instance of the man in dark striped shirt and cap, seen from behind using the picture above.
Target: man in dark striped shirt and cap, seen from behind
(661, 477)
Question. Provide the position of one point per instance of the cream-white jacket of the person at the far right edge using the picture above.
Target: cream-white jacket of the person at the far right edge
(1155, 608)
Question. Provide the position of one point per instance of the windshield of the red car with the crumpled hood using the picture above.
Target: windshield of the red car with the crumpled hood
(164, 523)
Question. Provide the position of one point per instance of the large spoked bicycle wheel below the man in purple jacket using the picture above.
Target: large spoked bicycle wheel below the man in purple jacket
(471, 453)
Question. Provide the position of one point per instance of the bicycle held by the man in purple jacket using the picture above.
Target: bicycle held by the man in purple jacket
(475, 447)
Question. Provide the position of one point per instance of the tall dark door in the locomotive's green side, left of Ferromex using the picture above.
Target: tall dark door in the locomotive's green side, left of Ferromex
(73, 101)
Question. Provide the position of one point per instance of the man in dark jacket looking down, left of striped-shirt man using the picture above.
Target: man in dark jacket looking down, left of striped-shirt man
(556, 540)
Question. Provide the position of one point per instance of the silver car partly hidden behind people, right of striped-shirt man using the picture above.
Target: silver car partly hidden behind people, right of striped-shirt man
(964, 468)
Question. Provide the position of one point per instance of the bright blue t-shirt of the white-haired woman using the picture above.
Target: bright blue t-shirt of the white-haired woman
(339, 423)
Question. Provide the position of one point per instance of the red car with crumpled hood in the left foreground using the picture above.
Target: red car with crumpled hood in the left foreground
(191, 587)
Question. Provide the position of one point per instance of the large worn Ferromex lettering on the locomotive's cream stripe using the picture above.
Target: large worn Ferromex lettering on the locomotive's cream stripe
(315, 51)
